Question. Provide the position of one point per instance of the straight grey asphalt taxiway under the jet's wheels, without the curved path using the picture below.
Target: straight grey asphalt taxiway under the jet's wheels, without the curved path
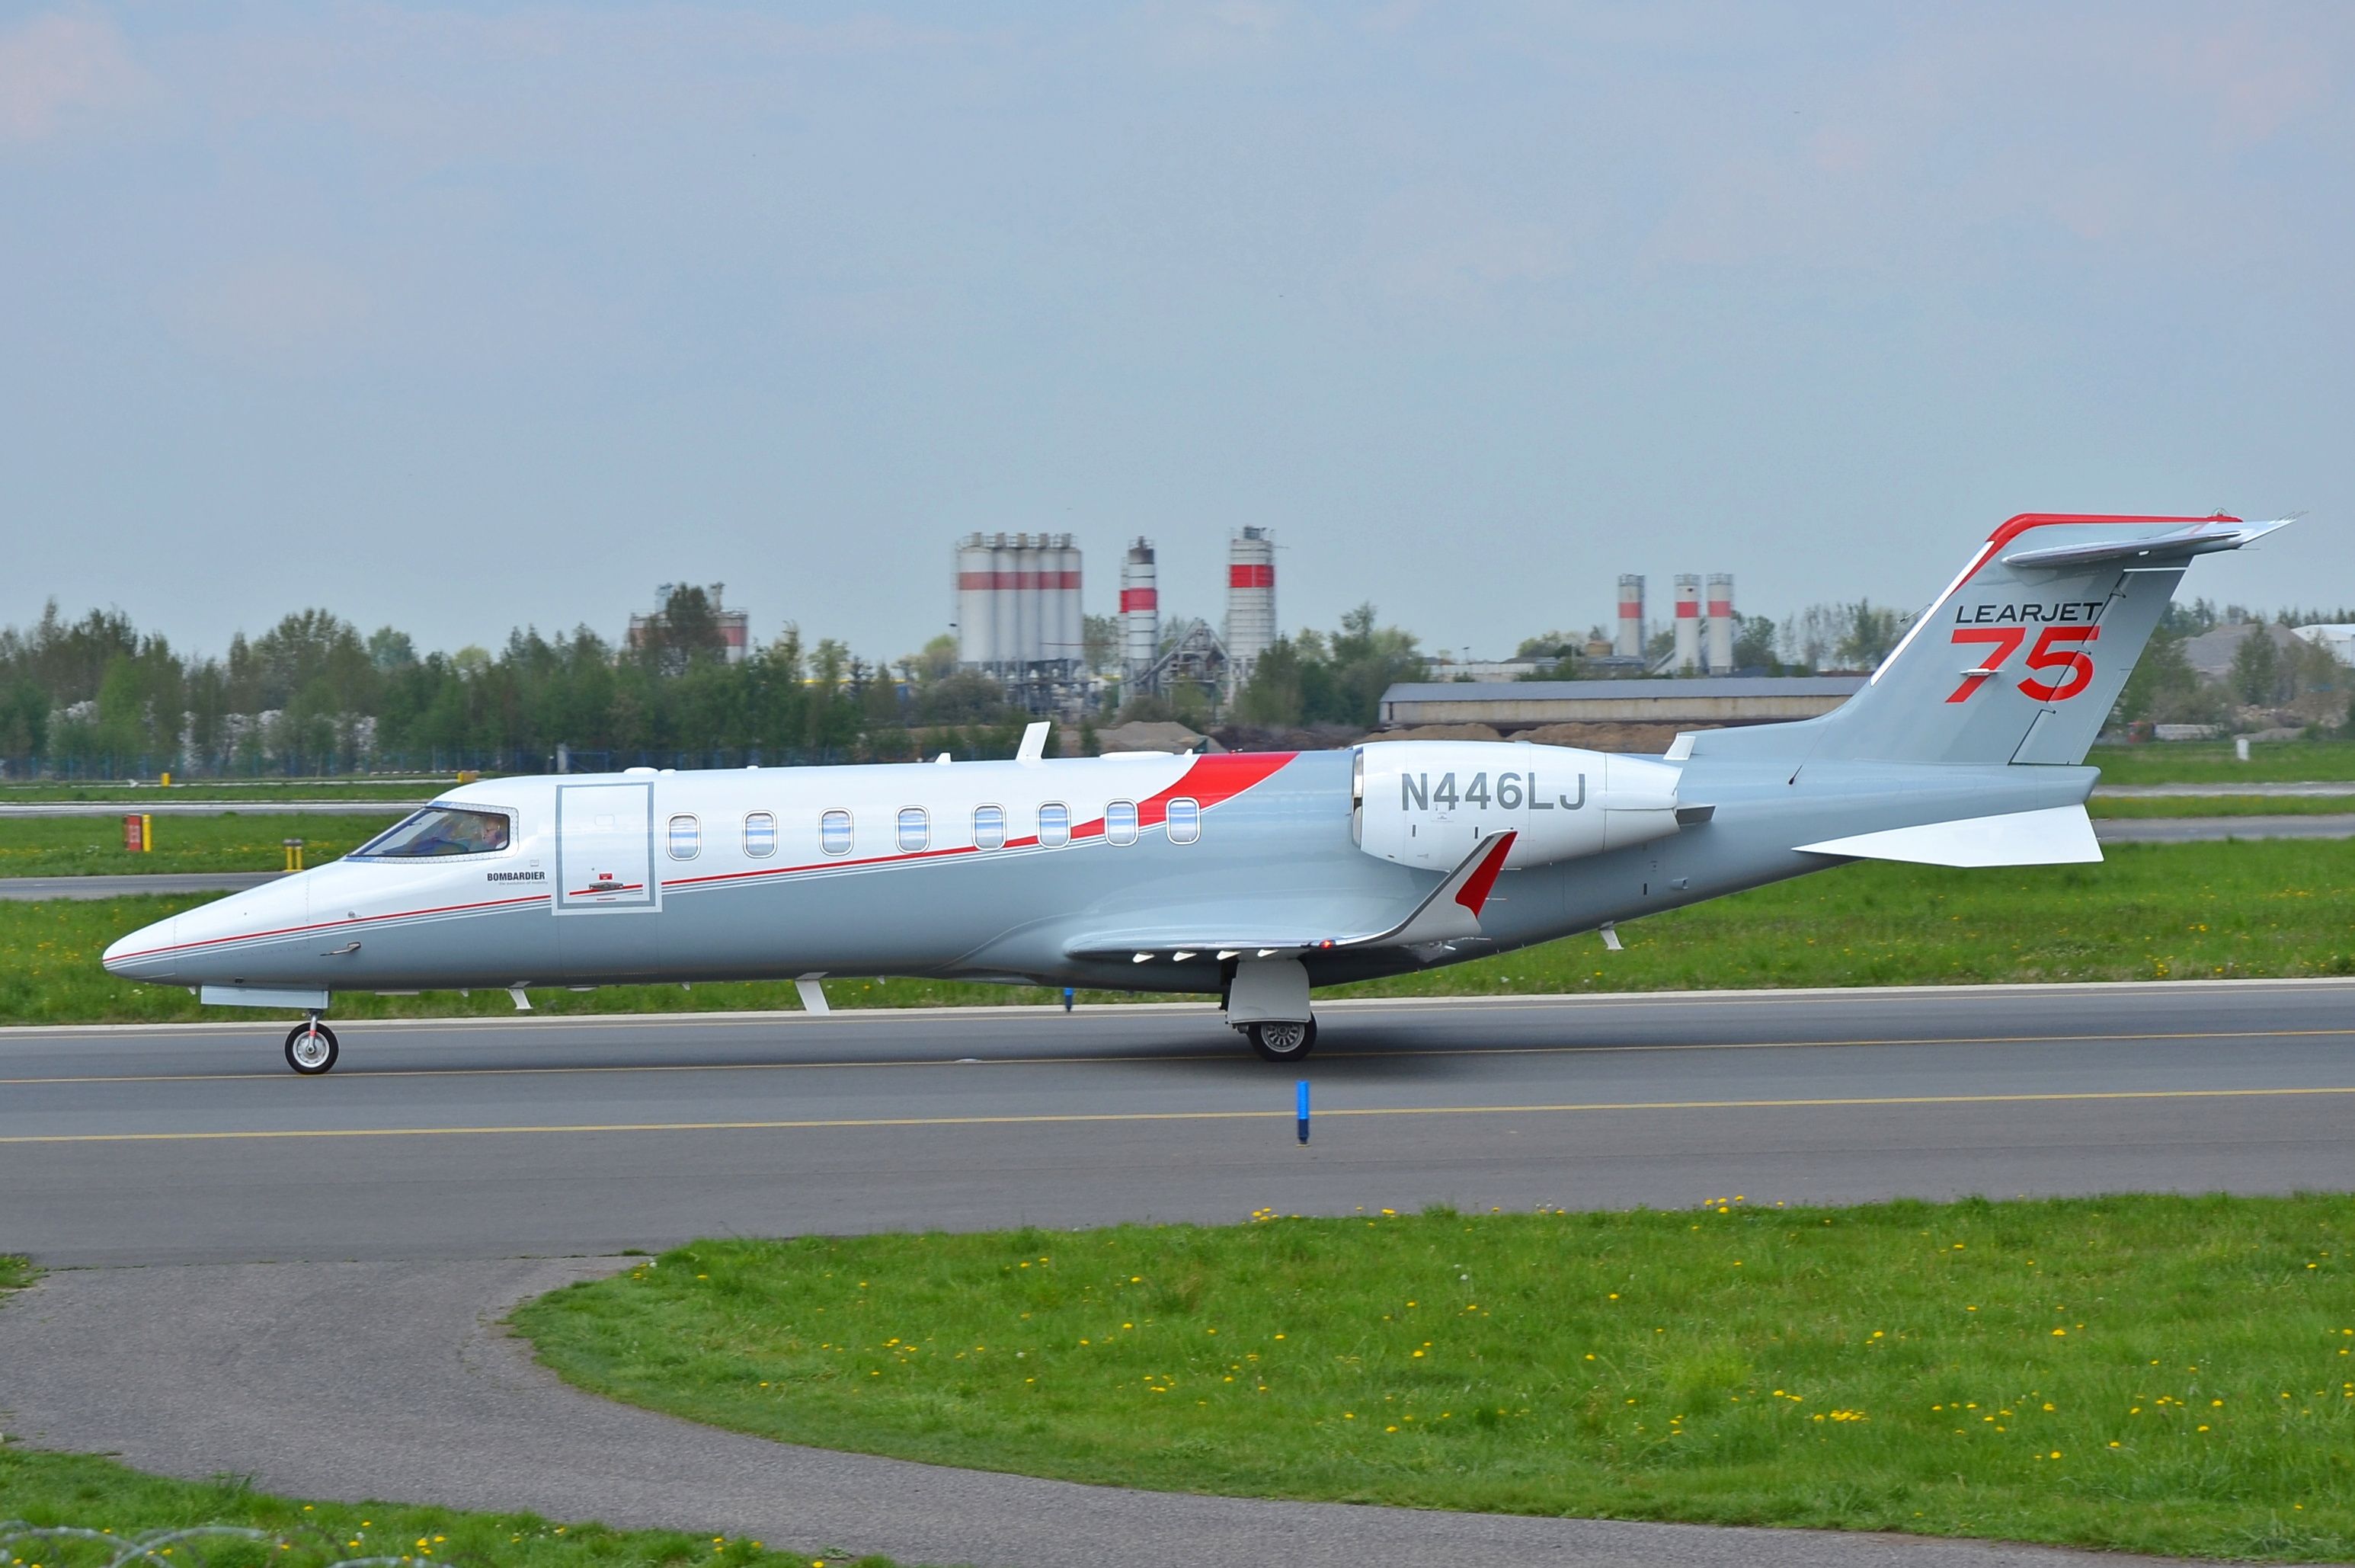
(562, 1136)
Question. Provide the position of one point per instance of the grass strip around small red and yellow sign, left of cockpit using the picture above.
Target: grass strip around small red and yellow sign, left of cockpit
(246, 842)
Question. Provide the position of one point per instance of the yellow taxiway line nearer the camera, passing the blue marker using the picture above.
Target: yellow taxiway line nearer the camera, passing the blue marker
(1134, 1117)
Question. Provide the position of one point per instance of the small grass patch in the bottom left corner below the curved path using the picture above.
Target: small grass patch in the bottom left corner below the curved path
(93, 1494)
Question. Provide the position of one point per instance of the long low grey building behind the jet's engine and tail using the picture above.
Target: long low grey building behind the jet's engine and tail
(1532, 705)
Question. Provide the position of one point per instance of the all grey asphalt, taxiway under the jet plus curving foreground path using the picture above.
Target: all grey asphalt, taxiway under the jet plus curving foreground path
(442, 1152)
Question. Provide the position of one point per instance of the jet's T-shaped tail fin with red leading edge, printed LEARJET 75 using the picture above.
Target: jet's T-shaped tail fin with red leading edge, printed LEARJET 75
(2026, 651)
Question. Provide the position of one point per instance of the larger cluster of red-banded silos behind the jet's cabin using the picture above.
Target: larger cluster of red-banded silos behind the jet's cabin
(1019, 620)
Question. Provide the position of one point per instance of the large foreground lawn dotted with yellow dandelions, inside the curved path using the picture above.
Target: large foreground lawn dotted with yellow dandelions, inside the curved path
(2132, 1374)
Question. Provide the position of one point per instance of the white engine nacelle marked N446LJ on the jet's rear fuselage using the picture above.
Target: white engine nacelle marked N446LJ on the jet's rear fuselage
(1428, 804)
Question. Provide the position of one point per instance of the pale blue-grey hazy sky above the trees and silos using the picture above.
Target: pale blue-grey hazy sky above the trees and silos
(486, 317)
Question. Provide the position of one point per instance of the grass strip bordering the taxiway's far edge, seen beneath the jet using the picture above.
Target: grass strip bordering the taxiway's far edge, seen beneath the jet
(2151, 912)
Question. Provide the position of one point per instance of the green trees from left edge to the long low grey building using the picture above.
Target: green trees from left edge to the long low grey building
(312, 696)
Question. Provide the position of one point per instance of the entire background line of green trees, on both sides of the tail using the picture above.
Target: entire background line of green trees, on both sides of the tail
(100, 698)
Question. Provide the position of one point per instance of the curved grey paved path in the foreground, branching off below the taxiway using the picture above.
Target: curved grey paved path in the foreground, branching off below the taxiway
(394, 1381)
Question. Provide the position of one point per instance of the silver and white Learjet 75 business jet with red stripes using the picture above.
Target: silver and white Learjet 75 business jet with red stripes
(1247, 877)
